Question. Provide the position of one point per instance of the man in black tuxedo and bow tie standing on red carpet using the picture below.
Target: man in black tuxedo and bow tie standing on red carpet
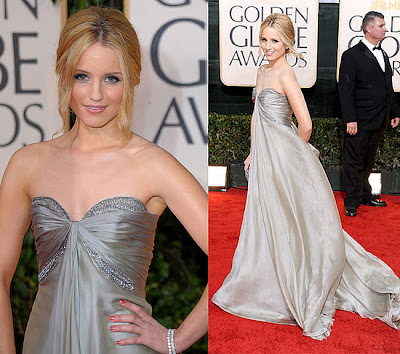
(367, 100)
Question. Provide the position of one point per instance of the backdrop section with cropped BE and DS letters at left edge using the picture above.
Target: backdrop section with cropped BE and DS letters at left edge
(28, 89)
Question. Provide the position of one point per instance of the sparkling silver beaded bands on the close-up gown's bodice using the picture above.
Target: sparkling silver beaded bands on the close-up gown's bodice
(105, 206)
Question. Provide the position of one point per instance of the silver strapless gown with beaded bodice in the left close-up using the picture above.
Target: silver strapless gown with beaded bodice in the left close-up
(85, 268)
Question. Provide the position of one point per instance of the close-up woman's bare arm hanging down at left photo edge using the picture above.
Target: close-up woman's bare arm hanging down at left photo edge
(14, 220)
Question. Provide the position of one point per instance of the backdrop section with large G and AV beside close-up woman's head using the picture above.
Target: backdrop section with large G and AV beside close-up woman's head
(171, 100)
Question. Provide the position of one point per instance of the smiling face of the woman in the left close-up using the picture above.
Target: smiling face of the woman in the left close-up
(98, 86)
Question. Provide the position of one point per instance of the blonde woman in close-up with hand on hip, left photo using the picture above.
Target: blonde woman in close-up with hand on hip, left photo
(94, 196)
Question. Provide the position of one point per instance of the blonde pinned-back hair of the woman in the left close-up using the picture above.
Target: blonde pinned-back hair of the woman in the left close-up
(111, 29)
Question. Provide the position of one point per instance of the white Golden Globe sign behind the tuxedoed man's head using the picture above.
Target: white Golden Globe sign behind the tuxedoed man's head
(350, 33)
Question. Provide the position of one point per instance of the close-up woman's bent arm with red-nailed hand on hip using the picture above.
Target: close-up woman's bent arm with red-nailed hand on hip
(188, 201)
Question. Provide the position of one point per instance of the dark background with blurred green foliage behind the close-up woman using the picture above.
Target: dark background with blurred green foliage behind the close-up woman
(178, 272)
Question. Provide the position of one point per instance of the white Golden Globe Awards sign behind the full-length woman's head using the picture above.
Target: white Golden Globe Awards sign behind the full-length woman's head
(240, 22)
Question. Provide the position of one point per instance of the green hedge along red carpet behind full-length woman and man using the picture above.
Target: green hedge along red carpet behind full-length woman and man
(229, 141)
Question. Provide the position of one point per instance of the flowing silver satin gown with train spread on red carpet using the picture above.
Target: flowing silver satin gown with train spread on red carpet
(294, 264)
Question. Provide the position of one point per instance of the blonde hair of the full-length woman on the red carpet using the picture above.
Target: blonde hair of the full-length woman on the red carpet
(283, 25)
